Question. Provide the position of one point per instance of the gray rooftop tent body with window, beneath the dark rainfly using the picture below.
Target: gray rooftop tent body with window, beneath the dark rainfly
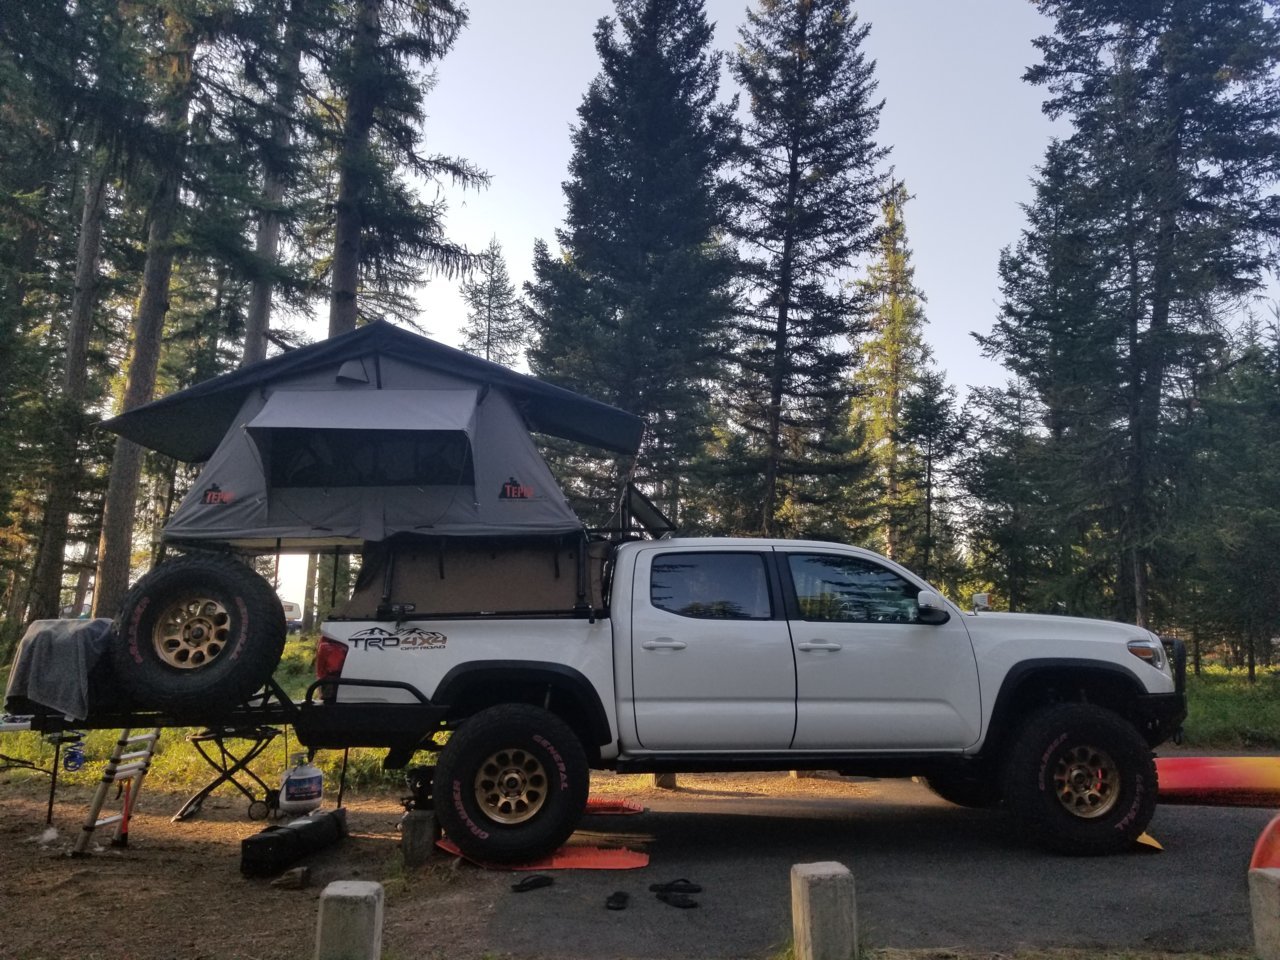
(326, 458)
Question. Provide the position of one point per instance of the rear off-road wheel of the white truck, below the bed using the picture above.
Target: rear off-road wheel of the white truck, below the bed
(511, 784)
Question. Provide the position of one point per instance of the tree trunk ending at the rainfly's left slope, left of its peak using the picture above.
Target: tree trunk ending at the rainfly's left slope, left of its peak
(268, 240)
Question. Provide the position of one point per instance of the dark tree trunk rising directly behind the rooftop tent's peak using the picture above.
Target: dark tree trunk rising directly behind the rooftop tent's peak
(353, 176)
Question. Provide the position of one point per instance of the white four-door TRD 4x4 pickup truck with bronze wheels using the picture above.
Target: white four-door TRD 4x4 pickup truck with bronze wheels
(723, 655)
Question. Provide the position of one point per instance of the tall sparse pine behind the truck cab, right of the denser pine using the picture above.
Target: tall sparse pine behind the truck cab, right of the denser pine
(811, 195)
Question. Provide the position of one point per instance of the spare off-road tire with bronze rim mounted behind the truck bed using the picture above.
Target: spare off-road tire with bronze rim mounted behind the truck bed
(198, 636)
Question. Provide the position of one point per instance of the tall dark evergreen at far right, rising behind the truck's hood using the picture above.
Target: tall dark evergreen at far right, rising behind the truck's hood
(1150, 226)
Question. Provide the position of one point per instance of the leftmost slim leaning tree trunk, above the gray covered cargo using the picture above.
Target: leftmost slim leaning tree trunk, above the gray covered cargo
(65, 483)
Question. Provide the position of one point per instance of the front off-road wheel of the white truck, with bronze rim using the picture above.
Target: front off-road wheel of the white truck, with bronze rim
(1081, 781)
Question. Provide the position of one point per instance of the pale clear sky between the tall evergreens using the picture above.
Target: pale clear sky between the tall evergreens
(966, 135)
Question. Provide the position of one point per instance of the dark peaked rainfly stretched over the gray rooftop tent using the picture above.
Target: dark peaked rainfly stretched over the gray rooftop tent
(191, 424)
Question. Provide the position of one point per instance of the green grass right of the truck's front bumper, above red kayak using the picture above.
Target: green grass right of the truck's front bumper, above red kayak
(1227, 712)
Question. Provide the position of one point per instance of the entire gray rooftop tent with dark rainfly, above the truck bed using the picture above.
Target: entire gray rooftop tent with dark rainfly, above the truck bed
(369, 436)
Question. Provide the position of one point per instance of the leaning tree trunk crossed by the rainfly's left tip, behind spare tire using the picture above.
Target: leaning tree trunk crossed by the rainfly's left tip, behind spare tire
(118, 509)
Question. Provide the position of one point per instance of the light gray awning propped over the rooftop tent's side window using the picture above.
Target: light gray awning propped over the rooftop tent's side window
(373, 410)
